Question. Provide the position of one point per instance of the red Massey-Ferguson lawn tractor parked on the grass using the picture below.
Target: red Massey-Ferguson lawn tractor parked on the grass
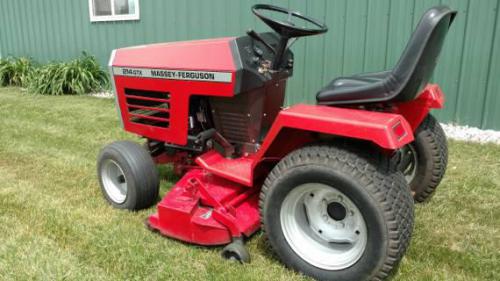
(332, 185)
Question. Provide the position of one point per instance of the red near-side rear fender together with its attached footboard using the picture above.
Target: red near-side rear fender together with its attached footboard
(289, 131)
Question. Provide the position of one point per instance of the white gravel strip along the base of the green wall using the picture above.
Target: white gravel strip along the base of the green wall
(456, 132)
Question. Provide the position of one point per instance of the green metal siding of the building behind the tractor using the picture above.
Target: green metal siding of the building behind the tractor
(365, 35)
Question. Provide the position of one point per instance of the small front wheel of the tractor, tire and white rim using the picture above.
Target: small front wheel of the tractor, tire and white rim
(128, 176)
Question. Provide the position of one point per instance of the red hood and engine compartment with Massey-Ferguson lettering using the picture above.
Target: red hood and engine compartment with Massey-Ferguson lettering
(186, 94)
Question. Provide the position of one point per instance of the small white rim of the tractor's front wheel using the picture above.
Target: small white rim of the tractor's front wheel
(114, 181)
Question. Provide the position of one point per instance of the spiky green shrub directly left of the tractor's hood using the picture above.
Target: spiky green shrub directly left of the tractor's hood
(79, 76)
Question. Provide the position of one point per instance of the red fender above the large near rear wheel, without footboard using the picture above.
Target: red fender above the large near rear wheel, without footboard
(388, 130)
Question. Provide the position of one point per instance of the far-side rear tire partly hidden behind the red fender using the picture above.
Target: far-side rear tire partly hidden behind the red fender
(430, 151)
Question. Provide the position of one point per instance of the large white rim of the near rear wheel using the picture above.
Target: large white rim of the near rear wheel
(322, 240)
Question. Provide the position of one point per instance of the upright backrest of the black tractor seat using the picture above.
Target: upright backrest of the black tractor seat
(416, 65)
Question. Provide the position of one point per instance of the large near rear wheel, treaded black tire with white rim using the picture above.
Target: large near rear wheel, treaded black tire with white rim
(337, 213)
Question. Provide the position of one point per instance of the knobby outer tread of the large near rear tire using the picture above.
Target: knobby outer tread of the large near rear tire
(379, 178)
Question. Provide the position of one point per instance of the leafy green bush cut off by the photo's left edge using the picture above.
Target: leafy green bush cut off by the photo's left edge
(16, 71)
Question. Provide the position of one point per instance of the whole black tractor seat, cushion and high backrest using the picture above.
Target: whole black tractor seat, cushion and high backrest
(407, 79)
